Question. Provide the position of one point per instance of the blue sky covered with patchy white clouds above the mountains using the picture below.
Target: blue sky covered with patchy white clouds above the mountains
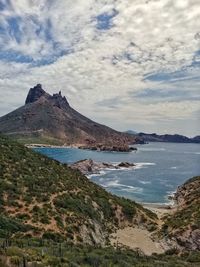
(129, 64)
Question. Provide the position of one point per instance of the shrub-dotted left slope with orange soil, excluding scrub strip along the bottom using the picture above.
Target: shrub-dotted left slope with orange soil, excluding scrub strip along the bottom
(43, 198)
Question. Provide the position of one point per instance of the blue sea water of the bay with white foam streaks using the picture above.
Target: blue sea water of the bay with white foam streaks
(160, 168)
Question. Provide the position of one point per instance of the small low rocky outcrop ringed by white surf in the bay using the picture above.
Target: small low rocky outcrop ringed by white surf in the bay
(88, 166)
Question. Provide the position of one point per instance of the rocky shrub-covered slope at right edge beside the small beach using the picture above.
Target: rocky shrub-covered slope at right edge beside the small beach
(184, 224)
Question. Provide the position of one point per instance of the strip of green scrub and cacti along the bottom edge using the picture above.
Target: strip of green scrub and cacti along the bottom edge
(40, 253)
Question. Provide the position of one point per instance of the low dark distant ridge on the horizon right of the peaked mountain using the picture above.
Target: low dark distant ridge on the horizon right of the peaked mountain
(174, 138)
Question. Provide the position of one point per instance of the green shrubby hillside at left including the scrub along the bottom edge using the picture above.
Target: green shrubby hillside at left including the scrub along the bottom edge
(54, 216)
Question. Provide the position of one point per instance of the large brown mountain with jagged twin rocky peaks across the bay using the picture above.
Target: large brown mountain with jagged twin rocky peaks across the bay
(49, 119)
